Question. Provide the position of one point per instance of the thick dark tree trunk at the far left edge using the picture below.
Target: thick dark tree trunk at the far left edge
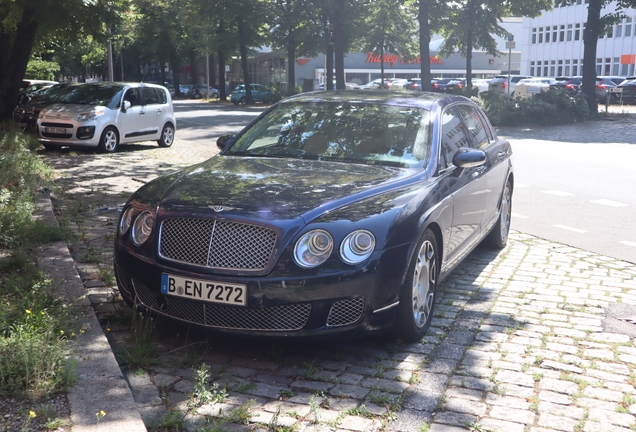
(13, 66)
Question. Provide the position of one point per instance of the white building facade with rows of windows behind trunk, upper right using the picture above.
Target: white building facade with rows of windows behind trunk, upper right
(552, 44)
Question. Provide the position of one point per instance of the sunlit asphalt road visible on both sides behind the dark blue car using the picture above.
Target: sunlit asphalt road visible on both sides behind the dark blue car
(574, 183)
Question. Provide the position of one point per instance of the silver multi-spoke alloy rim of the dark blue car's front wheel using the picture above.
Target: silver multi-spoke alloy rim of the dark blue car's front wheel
(424, 278)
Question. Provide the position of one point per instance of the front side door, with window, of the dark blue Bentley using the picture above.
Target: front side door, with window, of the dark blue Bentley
(465, 185)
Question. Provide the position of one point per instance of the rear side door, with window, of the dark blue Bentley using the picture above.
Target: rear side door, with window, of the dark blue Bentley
(493, 172)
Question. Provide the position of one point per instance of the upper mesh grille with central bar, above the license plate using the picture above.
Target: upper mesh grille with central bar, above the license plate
(216, 244)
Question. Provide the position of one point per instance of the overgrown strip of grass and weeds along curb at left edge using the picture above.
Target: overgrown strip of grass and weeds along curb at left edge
(35, 325)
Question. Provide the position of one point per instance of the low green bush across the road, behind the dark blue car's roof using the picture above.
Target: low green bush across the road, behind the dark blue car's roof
(550, 107)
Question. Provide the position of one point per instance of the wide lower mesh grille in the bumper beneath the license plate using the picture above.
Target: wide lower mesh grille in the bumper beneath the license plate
(277, 318)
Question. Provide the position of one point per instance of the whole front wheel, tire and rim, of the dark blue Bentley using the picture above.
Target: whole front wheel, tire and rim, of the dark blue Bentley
(419, 291)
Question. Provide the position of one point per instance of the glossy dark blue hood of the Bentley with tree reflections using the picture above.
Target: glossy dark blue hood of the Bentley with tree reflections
(268, 189)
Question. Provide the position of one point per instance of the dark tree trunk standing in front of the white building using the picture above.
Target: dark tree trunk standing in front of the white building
(590, 39)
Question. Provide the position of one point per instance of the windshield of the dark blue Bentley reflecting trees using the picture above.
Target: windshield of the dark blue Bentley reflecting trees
(346, 132)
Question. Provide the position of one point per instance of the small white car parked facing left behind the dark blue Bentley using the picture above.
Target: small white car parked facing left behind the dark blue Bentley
(106, 114)
